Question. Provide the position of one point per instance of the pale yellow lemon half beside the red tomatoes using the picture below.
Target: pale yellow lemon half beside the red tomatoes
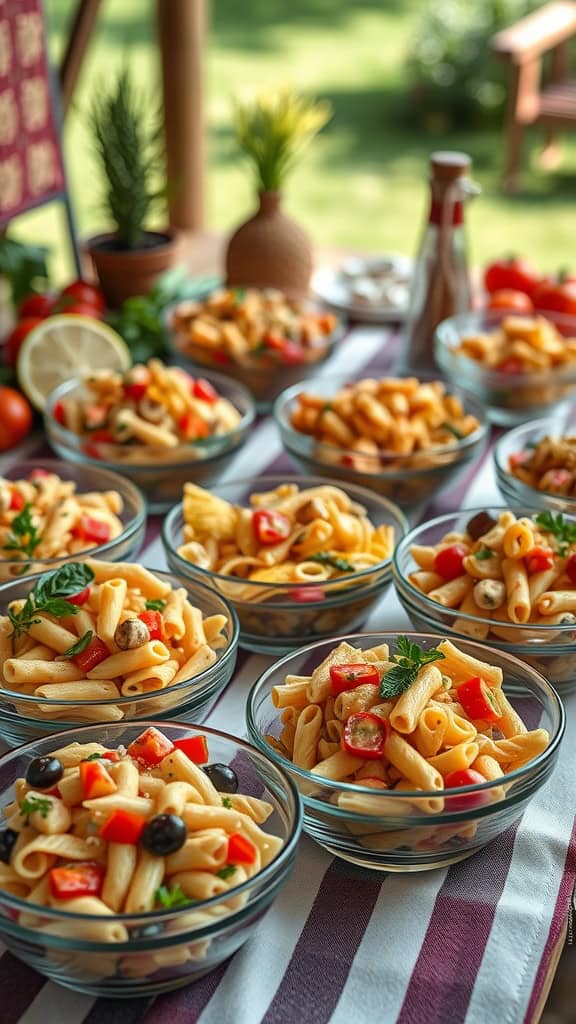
(65, 347)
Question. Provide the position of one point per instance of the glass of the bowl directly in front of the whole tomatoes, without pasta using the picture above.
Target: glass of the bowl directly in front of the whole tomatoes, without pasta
(509, 398)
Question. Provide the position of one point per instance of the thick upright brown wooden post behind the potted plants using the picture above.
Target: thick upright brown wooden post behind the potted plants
(182, 37)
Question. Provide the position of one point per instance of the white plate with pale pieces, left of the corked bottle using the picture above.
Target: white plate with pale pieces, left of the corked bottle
(388, 276)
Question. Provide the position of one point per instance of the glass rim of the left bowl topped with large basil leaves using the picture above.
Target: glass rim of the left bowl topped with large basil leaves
(230, 652)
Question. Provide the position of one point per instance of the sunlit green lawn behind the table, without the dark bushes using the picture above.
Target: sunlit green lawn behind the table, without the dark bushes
(363, 184)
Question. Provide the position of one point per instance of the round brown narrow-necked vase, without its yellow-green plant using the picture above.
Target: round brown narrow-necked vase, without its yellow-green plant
(270, 250)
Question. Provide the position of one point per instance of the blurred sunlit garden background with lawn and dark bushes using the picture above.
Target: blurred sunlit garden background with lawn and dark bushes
(404, 77)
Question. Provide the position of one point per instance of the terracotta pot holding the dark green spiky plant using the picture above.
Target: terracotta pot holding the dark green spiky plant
(124, 273)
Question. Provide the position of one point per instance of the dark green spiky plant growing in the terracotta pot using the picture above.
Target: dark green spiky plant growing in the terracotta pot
(130, 148)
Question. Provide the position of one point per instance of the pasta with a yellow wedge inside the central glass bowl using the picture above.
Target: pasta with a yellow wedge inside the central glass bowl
(287, 536)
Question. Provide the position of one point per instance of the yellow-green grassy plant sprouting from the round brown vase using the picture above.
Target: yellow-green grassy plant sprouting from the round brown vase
(275, 131)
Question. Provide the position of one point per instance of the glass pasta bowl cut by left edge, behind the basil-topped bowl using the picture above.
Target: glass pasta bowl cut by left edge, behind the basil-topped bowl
(51, 511)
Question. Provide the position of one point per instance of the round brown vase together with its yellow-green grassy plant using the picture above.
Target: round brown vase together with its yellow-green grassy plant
(270, 249)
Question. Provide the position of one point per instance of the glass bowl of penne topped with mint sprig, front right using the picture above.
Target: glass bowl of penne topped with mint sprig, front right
(381, 734)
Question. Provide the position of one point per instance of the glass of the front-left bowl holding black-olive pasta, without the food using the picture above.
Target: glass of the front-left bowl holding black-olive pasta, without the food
(159, 951)
